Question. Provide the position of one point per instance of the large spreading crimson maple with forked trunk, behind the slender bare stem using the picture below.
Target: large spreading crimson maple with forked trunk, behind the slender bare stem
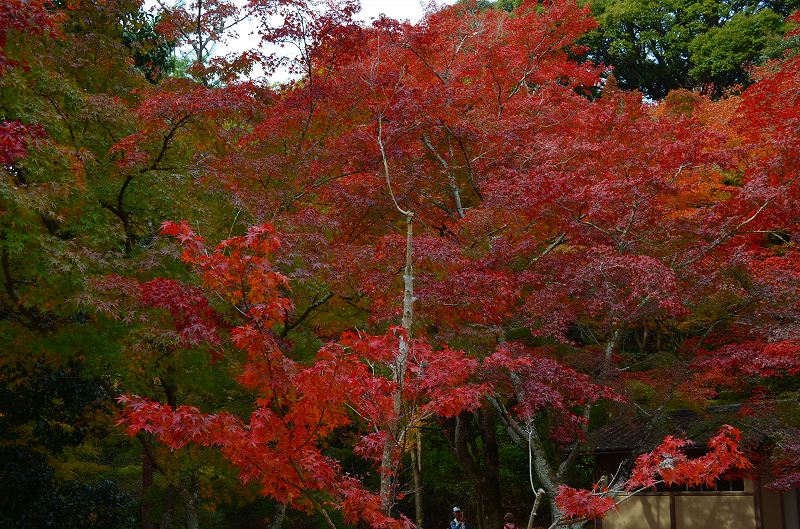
(610, 210)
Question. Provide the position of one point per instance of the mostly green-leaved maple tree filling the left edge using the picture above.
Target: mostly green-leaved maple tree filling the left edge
(71, 213)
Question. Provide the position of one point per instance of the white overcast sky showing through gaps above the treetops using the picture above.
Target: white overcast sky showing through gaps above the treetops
(411, 10)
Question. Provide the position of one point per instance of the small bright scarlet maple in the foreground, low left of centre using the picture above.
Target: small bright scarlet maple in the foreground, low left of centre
(297, 407)
